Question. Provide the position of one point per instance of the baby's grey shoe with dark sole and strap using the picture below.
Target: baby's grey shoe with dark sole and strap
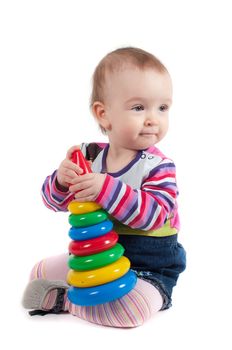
(45, 297)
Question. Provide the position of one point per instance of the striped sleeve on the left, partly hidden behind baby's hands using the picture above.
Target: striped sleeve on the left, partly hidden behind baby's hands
(52, 197)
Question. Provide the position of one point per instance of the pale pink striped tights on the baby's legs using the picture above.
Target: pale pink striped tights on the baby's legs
(129, 311)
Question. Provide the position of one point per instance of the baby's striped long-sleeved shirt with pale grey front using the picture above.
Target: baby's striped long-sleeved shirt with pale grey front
(140, 198)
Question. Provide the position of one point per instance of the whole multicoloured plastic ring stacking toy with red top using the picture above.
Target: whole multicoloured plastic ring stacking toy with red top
(99, 272)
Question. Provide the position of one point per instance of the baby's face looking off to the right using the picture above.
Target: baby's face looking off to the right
(137, 104)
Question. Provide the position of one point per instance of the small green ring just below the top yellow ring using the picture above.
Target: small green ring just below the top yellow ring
(87, 219)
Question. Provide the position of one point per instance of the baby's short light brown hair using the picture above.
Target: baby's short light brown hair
(119, 59)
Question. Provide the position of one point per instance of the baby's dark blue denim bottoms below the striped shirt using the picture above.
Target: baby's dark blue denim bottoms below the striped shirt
(157, 260)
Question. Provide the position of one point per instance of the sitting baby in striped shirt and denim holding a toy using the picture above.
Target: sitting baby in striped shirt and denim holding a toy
(133, 181)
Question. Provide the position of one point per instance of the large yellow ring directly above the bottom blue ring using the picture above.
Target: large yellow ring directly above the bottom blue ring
(99, 276)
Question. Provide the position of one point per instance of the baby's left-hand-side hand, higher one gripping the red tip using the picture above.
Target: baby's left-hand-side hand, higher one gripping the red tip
(68, 171)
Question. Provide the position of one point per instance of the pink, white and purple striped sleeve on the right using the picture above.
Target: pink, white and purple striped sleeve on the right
(146, 208)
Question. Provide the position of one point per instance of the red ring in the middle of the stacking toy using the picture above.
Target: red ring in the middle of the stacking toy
(93, 246)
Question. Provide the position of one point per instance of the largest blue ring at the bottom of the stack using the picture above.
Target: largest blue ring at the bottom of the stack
(104, 293)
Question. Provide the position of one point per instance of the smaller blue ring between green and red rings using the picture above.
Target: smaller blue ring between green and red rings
(87, 232)
